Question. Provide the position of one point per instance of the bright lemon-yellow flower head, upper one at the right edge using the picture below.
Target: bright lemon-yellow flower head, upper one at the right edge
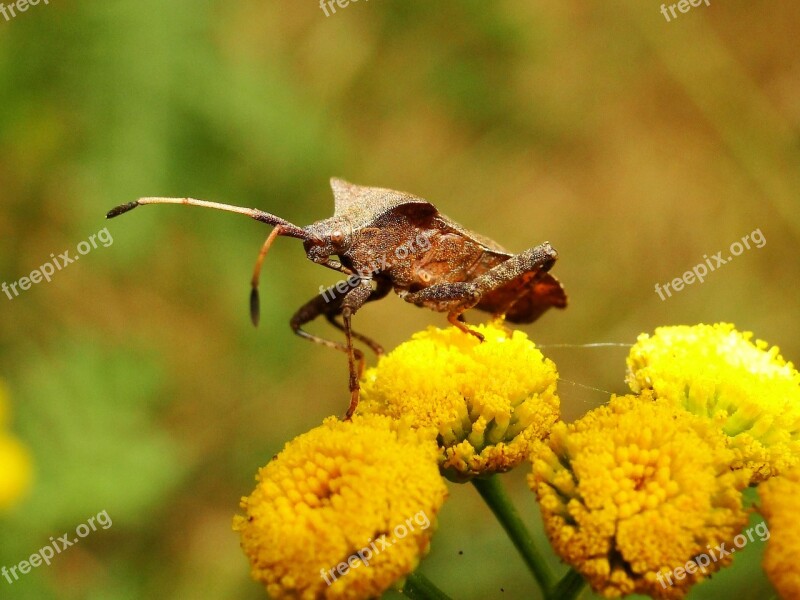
(745, 387)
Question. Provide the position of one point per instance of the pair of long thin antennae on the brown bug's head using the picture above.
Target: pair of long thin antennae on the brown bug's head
(282, 227)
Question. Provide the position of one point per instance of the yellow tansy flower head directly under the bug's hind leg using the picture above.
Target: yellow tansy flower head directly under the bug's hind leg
(487, 401)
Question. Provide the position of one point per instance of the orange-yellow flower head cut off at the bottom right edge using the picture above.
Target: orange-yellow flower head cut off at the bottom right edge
(780, 504)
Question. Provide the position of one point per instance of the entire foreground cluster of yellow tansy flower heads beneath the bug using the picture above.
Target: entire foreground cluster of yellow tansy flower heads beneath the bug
(640, 495)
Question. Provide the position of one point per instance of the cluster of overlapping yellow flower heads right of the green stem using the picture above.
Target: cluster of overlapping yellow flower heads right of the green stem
(635, 491)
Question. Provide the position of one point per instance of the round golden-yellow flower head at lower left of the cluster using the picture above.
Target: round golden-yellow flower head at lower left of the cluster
(344, 511)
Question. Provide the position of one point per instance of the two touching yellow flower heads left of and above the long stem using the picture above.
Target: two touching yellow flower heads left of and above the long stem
(326, 518)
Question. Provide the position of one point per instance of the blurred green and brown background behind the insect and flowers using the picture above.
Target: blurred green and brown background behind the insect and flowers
(635, 145)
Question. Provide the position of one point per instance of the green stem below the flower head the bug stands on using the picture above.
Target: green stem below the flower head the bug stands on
(493, 493)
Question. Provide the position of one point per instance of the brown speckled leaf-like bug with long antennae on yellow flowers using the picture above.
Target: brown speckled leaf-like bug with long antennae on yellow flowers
(381, 240)
